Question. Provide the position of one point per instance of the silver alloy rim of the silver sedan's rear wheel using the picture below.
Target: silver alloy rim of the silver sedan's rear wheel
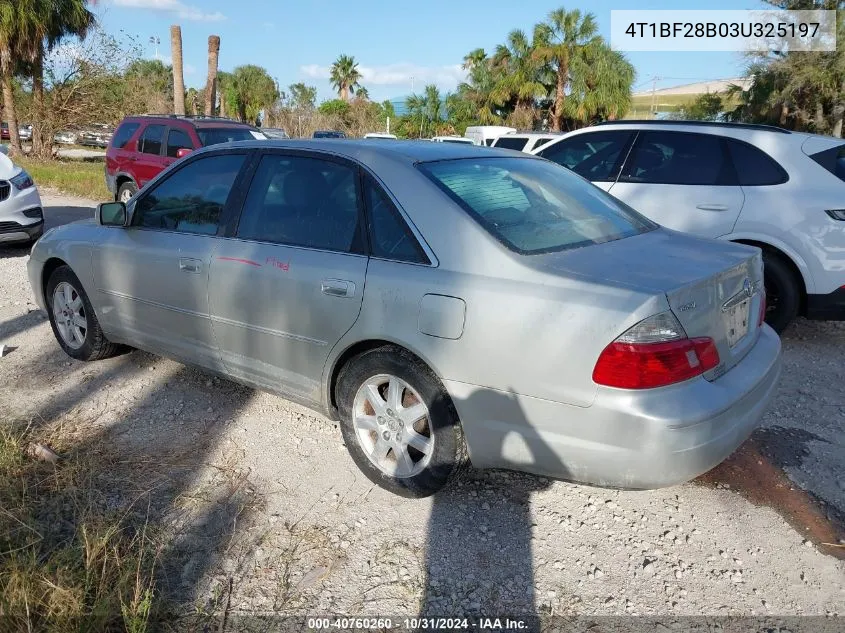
(392, 426)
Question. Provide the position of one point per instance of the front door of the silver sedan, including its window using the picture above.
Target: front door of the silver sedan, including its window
(152, 276)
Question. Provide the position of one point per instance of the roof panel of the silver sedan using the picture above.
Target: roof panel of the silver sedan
(409, 152)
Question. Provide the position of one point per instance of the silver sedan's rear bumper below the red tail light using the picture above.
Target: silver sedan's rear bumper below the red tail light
(625, 439)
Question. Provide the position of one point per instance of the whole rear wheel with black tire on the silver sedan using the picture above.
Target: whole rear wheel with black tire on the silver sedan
(404, 469)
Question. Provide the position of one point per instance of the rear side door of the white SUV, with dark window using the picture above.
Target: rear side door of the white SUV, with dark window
(682, 180)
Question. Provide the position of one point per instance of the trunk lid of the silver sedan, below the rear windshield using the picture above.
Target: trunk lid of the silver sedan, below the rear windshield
(714, 288)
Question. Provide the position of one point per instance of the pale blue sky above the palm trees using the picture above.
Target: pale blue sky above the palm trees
(400, 46)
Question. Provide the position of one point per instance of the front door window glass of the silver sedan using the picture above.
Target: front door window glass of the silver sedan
(192, 199)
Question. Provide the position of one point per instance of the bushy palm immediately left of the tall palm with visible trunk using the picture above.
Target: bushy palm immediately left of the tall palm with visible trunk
(520, 73)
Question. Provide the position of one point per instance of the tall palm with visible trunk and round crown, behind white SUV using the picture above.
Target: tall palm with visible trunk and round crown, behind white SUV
(557, 42)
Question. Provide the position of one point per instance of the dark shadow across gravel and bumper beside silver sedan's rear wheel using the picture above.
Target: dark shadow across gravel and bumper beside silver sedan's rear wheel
(489, 514)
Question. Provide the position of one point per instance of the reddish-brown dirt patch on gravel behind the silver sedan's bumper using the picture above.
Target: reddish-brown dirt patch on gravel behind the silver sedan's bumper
(757, 472)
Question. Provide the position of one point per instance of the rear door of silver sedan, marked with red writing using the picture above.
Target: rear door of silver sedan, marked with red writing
(290, 282)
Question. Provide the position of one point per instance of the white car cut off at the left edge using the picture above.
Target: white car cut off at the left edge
(21, 217)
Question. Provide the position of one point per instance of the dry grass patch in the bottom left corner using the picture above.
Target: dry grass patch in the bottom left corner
(69, 561)
